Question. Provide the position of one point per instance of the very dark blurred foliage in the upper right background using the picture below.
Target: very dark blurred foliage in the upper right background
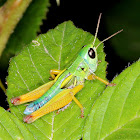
(125, 15)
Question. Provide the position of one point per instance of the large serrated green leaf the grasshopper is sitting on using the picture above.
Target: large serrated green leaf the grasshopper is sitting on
(30, 69)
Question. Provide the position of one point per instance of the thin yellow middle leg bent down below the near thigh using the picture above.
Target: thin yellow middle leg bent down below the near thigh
(73, 92)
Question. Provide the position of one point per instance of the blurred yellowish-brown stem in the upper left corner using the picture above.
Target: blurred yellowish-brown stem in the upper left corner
(10, 14)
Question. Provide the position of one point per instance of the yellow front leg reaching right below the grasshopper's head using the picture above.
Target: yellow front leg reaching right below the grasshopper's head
(91, 77)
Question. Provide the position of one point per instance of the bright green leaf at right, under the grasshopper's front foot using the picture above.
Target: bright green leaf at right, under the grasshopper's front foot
(116, 114)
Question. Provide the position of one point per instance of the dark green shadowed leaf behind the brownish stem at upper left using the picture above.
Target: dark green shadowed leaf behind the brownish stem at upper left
(26, 30)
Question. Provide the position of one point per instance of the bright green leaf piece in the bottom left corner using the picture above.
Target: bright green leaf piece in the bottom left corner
(11, 128)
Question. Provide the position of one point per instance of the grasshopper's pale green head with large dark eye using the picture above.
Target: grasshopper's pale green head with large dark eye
(89, 54)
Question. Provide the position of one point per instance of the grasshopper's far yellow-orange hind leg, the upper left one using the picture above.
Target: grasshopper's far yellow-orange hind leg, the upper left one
(33, 95)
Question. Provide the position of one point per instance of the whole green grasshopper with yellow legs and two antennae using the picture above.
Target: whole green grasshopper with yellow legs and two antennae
(65, 84)
